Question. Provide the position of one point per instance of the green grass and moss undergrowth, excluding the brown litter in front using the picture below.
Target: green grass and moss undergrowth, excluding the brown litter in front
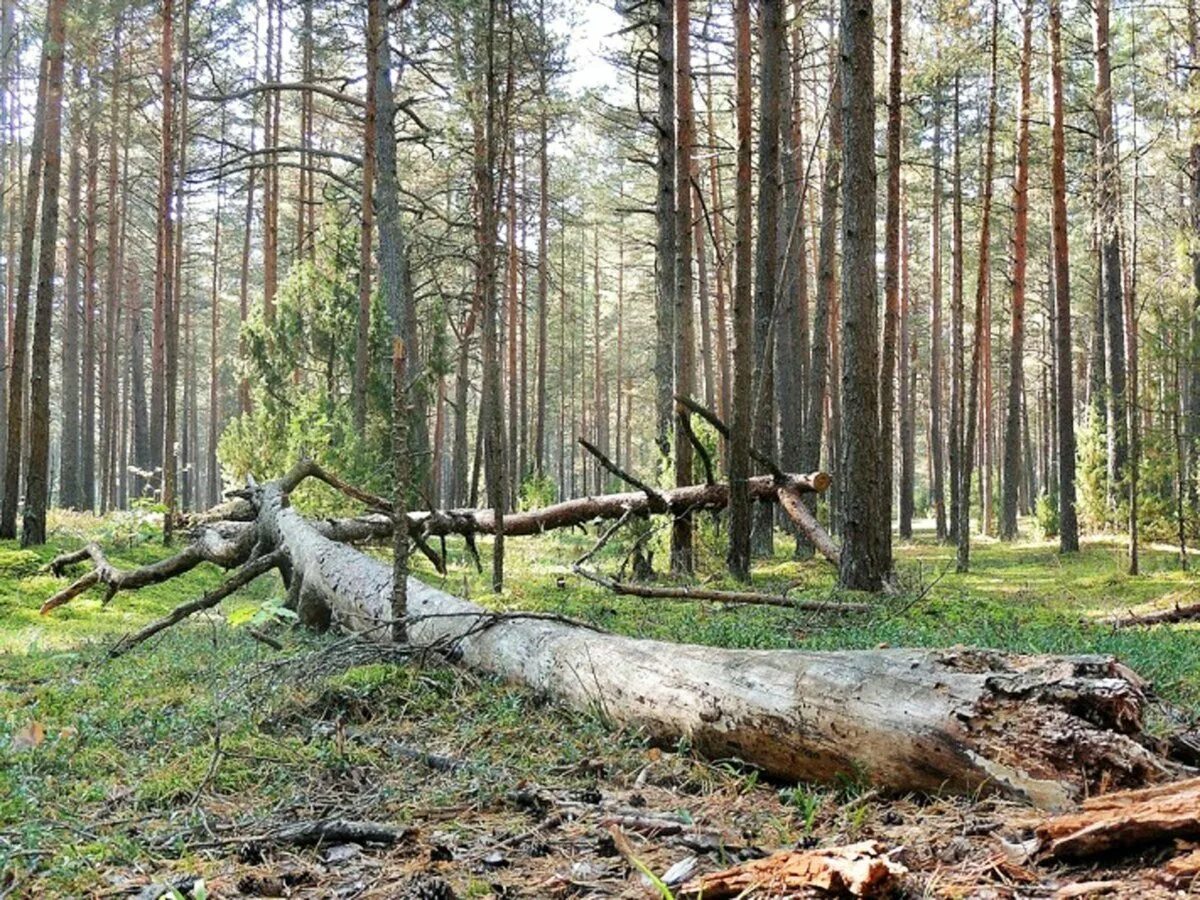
(112, 765)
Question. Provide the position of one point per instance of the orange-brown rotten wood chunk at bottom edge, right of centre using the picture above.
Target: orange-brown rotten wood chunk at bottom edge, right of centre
(857, 871)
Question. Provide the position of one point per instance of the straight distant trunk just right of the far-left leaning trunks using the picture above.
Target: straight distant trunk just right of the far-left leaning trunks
(69, 445)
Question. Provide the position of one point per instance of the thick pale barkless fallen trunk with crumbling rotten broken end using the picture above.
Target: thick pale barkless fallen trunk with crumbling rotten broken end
(1041, 729)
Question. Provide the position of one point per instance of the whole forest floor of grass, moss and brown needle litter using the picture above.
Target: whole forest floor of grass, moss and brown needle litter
(183, 759)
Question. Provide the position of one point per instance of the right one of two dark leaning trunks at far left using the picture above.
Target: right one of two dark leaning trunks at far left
(38, 482)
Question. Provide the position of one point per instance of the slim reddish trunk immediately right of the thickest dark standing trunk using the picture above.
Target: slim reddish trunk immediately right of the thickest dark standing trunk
(891, 272)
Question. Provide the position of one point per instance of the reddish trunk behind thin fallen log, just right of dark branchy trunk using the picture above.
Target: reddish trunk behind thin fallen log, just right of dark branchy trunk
(685, 317)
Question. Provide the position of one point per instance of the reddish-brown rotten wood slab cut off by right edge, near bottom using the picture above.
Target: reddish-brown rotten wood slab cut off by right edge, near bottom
(1125, 821)
